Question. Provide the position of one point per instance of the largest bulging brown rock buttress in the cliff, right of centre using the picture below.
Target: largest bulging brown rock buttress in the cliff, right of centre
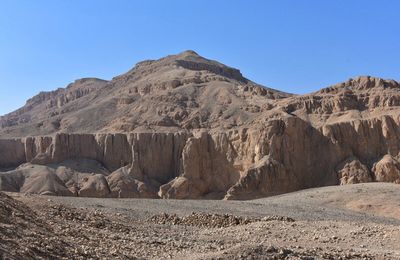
(288, 155)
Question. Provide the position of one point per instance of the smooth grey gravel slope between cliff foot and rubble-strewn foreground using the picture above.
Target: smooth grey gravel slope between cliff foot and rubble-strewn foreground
(328, 203)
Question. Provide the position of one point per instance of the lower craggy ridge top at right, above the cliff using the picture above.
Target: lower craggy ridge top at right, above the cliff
(364, 93)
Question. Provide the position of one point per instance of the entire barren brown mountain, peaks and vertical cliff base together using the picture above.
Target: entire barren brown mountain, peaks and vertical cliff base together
(187, 127)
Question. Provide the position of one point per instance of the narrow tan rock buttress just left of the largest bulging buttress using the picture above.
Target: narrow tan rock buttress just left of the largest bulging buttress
(208, 169)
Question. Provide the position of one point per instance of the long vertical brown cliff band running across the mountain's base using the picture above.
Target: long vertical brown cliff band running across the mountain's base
(284, 155)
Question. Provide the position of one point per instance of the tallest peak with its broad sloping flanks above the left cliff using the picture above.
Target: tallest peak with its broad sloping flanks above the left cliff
(183, 91)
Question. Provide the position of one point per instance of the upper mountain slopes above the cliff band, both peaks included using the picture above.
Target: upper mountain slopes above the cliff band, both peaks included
(185, 92)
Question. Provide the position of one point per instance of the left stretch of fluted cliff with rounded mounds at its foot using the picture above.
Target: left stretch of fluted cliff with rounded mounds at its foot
(139, 163)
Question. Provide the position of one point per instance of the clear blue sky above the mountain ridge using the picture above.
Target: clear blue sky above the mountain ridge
(296, 46)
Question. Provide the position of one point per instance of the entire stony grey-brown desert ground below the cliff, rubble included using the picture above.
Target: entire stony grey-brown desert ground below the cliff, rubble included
(360, 221)
